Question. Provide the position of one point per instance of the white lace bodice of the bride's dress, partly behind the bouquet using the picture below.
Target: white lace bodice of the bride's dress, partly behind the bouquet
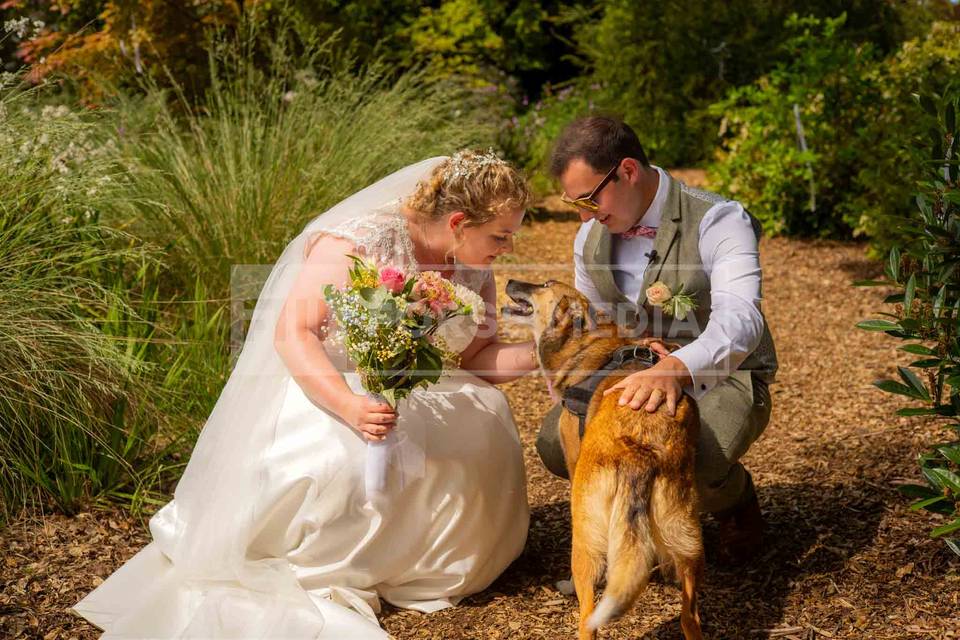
(382, 236)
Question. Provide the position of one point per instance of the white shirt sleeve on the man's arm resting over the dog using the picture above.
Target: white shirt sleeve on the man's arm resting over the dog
(730, 257)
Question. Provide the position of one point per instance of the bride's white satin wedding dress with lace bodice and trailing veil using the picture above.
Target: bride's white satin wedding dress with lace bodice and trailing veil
(269, 534)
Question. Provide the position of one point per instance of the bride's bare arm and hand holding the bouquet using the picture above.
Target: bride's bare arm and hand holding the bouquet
(299, 334)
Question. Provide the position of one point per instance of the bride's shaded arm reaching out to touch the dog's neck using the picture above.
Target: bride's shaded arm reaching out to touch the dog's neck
(487, 357)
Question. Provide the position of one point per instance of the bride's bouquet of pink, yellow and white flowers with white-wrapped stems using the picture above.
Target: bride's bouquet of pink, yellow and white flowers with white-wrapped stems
(389, 323)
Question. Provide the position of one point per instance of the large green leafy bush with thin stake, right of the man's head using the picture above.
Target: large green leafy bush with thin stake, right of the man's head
(825, 91)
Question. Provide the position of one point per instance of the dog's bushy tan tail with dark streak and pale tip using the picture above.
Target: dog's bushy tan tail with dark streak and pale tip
(631, 552)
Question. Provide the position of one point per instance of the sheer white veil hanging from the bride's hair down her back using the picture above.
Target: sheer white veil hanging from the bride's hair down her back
(213, 510)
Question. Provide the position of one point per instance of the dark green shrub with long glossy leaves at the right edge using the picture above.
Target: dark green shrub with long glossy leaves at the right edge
(926, 273)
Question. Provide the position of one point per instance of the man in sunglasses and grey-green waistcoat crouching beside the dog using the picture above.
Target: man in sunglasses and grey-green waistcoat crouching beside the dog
(642, 226)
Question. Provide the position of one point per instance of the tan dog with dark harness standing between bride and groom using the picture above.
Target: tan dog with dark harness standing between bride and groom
(632, 497)
